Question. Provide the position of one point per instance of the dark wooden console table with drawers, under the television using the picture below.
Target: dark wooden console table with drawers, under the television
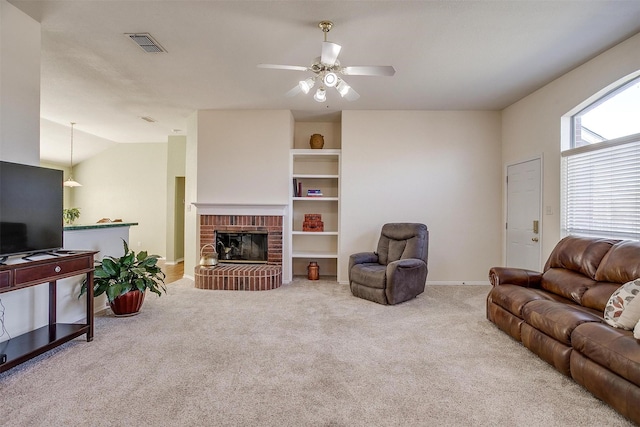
(23, 274)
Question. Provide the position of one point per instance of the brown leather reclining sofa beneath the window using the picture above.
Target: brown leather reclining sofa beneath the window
(559, 315)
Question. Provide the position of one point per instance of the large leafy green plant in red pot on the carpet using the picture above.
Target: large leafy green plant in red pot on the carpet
(124, 280)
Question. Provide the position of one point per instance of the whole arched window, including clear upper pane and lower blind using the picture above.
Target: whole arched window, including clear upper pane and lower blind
(601, 170)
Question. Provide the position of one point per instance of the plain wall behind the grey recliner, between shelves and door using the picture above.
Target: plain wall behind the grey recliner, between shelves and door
(440, 168)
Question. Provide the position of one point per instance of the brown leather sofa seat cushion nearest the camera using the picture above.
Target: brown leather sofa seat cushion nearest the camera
(615, 349)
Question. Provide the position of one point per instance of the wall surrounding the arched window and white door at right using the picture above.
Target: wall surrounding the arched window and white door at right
(532, 126)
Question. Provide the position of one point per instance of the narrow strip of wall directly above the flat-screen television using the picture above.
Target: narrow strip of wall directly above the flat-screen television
(19, 86)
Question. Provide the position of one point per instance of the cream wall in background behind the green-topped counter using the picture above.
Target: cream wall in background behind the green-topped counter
(129, 182)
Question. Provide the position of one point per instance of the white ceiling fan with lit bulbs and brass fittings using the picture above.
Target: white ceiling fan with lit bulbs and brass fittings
(326, 69)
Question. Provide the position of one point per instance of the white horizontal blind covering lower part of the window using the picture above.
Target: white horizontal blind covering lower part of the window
(601, 192)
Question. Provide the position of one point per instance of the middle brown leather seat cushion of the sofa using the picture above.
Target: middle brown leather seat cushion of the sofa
(556, 319)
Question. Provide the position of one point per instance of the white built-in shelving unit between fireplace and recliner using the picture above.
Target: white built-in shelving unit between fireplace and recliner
(319, 170)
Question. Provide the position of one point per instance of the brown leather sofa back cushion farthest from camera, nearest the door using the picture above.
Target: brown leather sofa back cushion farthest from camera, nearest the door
(579, 254)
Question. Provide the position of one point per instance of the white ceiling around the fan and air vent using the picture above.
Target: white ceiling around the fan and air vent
(448, 55)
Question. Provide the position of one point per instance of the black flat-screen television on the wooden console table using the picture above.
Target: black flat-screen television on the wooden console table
(30, 209)
